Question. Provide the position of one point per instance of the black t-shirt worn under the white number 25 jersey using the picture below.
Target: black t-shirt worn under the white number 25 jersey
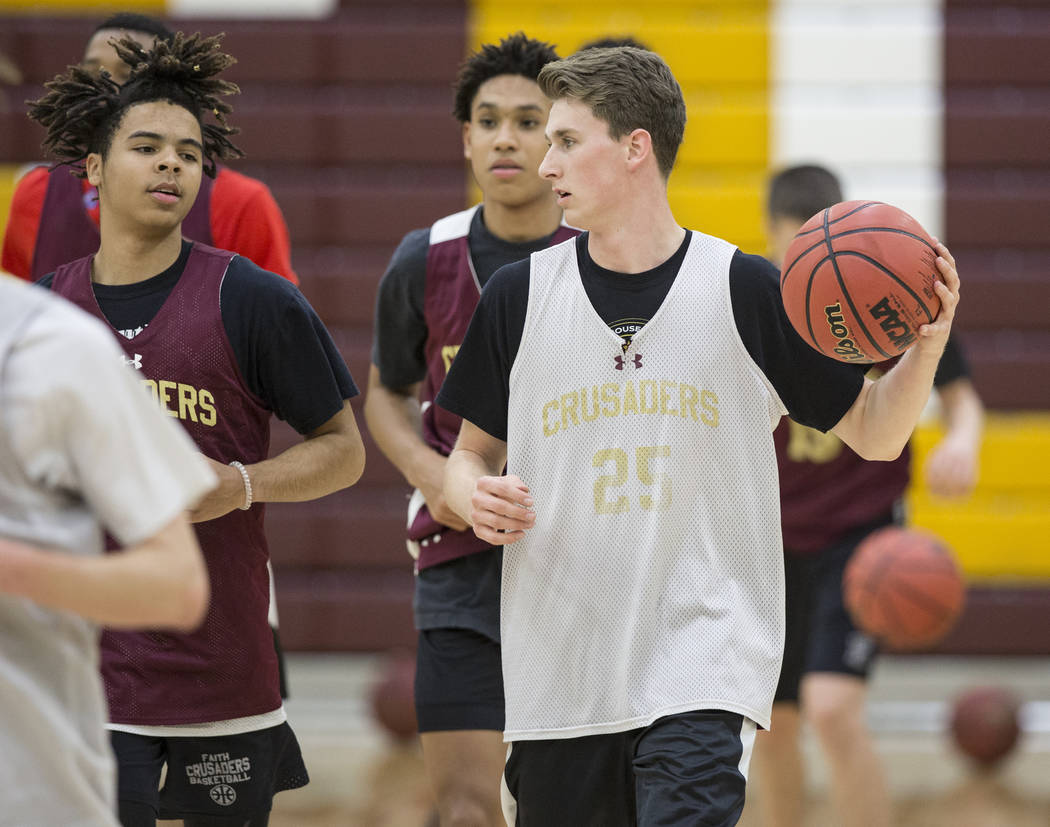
(816, 391)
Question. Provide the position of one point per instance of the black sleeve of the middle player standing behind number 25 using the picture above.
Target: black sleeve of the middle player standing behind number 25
(401, 327)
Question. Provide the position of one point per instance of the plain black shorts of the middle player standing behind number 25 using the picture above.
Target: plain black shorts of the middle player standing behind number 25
(459, 682)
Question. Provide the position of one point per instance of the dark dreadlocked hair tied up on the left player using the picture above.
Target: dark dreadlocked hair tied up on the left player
(82, 112)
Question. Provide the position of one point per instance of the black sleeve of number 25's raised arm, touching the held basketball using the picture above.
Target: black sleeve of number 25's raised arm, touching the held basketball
(817, 391)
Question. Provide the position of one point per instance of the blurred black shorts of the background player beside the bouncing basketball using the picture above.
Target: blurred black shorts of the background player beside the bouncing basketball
(820, 634)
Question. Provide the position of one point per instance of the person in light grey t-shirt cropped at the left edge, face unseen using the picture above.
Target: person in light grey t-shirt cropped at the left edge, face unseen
(82, 451)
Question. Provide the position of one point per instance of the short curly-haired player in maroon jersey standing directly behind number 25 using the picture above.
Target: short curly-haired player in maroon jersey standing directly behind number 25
(425, 305)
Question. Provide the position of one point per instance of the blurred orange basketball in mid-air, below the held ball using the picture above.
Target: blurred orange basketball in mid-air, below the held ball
(905, 588)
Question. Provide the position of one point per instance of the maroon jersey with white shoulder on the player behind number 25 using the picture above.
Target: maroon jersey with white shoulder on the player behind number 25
(450, 300)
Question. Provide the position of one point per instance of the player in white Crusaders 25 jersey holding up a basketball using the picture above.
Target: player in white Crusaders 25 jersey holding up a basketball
(632, 379)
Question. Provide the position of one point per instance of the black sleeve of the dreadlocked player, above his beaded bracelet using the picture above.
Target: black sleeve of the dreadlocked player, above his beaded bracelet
(285, 353)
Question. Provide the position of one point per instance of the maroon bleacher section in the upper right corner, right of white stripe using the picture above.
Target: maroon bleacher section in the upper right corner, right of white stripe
(998, 195)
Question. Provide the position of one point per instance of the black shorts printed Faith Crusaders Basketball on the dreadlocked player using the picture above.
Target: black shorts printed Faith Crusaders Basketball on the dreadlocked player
(223, 776)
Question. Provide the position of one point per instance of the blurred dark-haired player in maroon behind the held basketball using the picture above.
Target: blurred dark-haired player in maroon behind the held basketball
(831, 500)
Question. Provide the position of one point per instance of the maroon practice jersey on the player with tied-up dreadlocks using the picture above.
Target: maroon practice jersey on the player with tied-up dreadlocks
(228, 668)
